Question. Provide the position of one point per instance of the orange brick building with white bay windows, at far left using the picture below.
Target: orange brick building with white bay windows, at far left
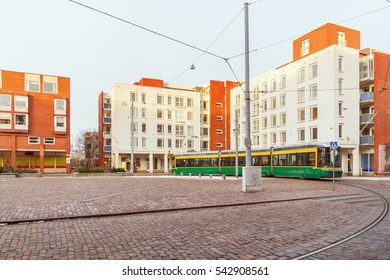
(34, 122)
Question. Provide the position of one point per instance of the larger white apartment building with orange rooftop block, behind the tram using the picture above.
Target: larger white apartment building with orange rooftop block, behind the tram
(313, 99)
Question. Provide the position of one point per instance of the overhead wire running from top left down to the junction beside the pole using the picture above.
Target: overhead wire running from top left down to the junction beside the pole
(148, 30)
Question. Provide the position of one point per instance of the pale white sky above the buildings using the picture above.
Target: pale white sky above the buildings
(58, 37)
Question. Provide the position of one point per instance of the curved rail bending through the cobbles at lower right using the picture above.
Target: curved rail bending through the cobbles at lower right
(354, 235)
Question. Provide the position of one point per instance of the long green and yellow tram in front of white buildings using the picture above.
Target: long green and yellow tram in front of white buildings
(311, 161)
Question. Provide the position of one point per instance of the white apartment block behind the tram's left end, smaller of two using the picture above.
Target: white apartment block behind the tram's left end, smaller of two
(166, 120)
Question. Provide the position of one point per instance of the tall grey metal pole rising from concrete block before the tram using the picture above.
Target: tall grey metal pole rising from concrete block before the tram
(248, 158)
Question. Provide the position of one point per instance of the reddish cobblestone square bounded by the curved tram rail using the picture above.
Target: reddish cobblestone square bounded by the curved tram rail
(291, 218)
